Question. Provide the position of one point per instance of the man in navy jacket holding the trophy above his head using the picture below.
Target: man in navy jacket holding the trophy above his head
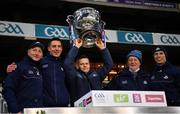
(81, 79)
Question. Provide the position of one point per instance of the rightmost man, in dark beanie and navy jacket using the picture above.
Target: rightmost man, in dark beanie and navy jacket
(166, 77)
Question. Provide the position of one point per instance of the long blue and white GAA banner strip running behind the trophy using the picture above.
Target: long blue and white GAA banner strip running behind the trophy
(48, 31)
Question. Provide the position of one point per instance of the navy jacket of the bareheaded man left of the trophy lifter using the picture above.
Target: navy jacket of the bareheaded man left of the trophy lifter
(54, 86)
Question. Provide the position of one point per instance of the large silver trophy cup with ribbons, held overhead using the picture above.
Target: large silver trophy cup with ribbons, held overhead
(86, 24)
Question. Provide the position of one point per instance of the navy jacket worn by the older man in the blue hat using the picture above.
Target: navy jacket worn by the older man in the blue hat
(126, 81)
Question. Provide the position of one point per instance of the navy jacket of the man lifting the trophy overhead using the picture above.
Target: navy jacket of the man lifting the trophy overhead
(81, 83)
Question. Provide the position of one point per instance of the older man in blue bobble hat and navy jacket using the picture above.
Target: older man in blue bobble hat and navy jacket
(132, 77)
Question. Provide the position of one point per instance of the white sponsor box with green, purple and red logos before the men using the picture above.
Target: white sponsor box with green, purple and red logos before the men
(123, 98)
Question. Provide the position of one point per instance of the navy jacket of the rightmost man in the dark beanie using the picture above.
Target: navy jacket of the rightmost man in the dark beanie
(167, 78)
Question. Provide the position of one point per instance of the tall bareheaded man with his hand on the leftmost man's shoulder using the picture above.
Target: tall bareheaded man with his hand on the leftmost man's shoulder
(54, 86)
